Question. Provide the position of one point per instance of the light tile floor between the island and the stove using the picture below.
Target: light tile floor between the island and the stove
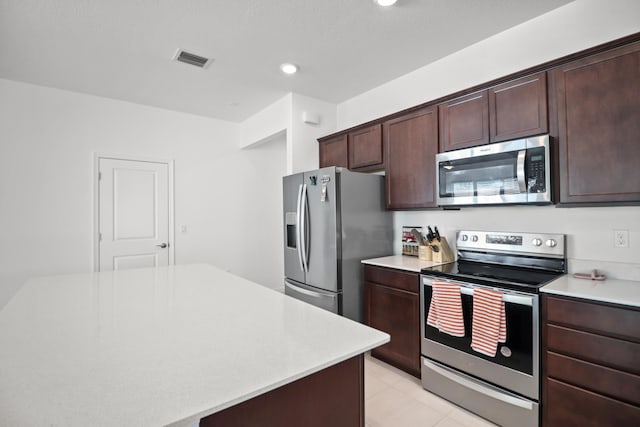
(394, 398)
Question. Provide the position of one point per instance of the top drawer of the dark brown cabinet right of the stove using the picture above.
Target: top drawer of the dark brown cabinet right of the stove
(610, 320)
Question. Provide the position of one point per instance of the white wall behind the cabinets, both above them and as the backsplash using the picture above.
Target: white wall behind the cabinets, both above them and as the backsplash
(574, 27)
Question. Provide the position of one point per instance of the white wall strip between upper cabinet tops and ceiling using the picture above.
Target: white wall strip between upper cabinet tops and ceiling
(571, 28)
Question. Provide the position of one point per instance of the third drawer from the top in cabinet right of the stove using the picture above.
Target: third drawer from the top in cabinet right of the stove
(609, 382)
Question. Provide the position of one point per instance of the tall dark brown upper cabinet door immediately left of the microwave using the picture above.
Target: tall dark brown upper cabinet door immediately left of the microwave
(411, 144)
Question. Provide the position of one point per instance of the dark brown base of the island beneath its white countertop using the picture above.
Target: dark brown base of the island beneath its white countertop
(331, 397)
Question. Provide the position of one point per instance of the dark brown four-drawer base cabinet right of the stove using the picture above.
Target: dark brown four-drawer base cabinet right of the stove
(591, 364)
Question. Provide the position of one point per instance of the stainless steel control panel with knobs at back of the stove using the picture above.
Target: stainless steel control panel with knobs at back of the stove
(530, 243)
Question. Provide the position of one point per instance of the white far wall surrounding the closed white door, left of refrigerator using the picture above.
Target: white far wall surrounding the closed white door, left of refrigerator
(229, 199)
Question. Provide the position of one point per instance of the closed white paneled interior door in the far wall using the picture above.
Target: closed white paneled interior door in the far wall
(133, 214)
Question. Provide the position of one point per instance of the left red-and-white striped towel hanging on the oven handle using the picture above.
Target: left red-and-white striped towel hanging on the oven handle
(445, 310)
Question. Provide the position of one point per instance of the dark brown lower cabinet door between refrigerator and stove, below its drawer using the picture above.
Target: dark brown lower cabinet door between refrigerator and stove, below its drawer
(395, 312)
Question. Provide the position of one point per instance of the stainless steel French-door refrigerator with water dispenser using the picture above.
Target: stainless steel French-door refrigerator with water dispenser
(333, 219)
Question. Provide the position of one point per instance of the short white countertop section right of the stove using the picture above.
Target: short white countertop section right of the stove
(625, 292)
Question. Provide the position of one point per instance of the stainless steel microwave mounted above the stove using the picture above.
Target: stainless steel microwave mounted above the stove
(512, 172)
